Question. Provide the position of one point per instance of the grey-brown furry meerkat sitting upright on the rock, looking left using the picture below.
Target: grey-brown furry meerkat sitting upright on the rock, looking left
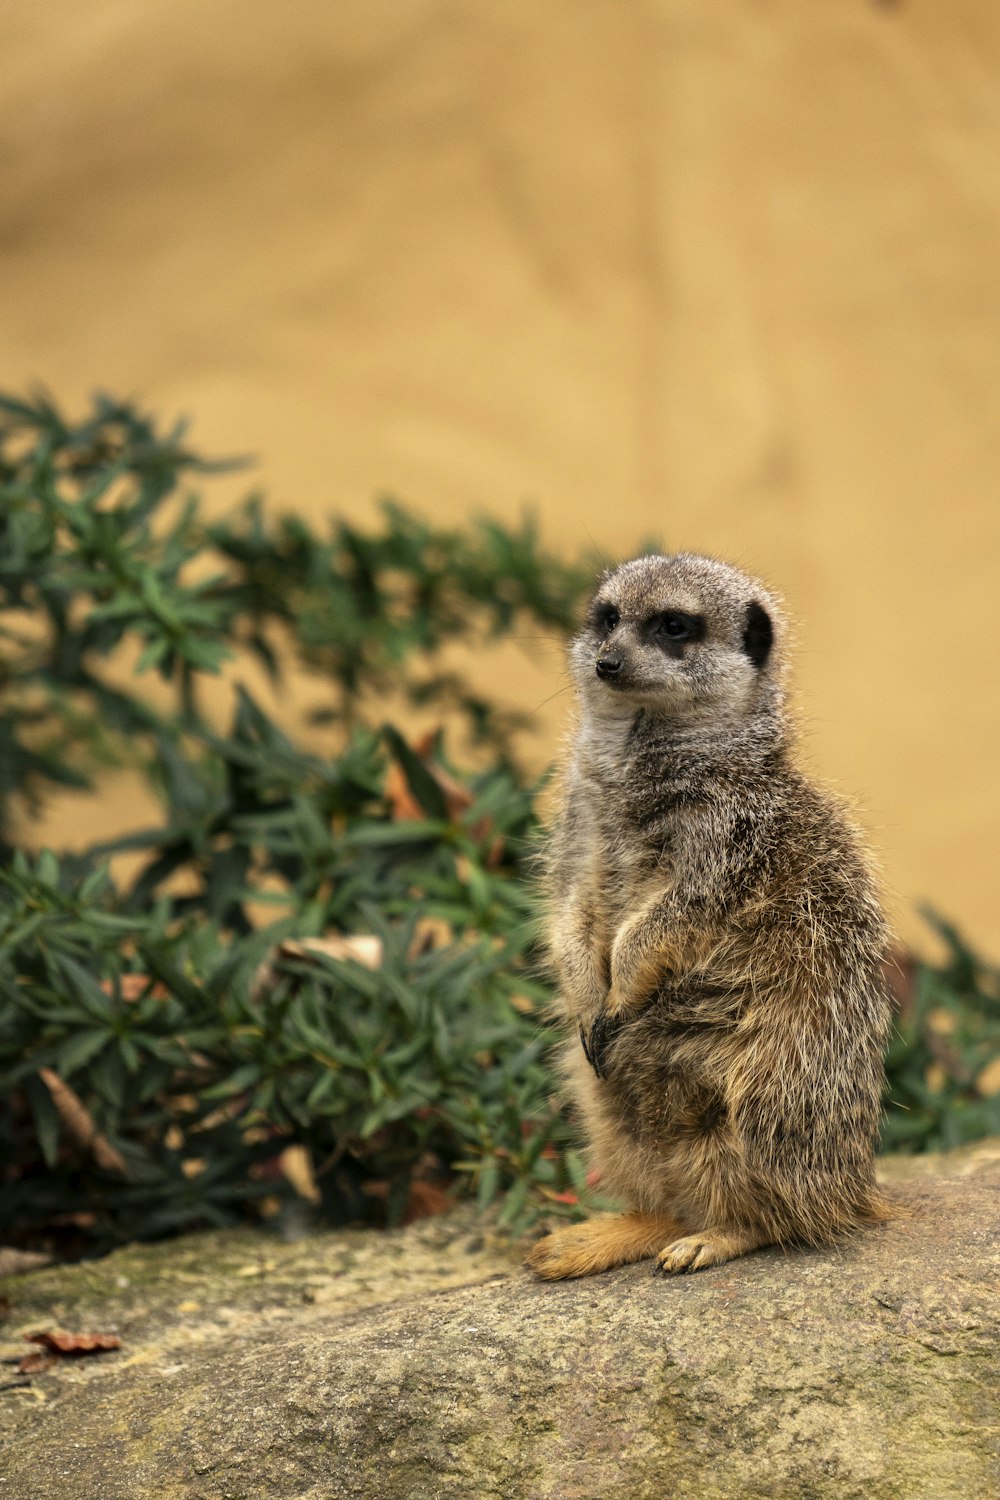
(717, 935)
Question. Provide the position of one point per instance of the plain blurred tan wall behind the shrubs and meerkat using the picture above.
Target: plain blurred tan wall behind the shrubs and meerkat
(714, 269)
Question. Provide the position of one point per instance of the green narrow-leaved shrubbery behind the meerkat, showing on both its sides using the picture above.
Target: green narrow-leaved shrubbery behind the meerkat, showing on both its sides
(154, 1067)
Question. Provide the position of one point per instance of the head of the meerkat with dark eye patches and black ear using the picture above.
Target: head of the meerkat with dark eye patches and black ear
(684, 637)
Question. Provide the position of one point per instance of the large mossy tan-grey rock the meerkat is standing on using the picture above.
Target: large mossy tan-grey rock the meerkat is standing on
(425, 1364)
